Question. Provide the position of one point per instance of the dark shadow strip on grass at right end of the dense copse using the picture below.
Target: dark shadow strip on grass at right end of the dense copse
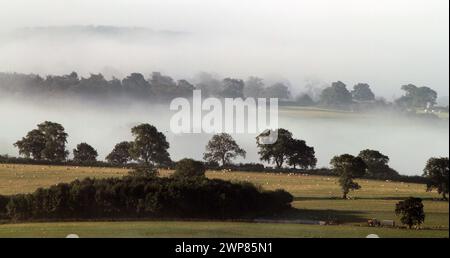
(337, 216)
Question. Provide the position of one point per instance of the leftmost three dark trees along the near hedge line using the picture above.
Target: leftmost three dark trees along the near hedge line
(48, 143)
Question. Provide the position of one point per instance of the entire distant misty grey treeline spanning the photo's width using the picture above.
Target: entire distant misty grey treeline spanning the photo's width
(161, 87)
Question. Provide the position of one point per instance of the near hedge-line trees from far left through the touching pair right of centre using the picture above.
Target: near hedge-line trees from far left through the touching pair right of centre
(150, 147)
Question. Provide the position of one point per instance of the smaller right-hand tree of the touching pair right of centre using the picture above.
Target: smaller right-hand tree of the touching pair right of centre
(301, 155)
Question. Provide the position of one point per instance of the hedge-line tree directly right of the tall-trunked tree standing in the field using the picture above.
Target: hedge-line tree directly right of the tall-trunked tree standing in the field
(377, 164)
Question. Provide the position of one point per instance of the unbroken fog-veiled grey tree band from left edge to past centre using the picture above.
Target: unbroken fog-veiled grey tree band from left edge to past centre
(157, 86)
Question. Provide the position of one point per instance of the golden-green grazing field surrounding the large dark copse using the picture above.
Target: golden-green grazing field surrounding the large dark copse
(316, 199)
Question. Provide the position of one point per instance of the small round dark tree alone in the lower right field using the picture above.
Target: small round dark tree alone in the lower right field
(411, 212)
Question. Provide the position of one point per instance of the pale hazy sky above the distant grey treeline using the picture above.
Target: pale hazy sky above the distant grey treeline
(385, 43)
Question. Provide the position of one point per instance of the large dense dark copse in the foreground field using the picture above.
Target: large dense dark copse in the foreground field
(145, 197)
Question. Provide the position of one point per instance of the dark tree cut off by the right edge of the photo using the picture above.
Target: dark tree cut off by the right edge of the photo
(436, 171)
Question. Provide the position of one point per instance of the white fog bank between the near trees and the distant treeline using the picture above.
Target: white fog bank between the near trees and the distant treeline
(409, 143)
